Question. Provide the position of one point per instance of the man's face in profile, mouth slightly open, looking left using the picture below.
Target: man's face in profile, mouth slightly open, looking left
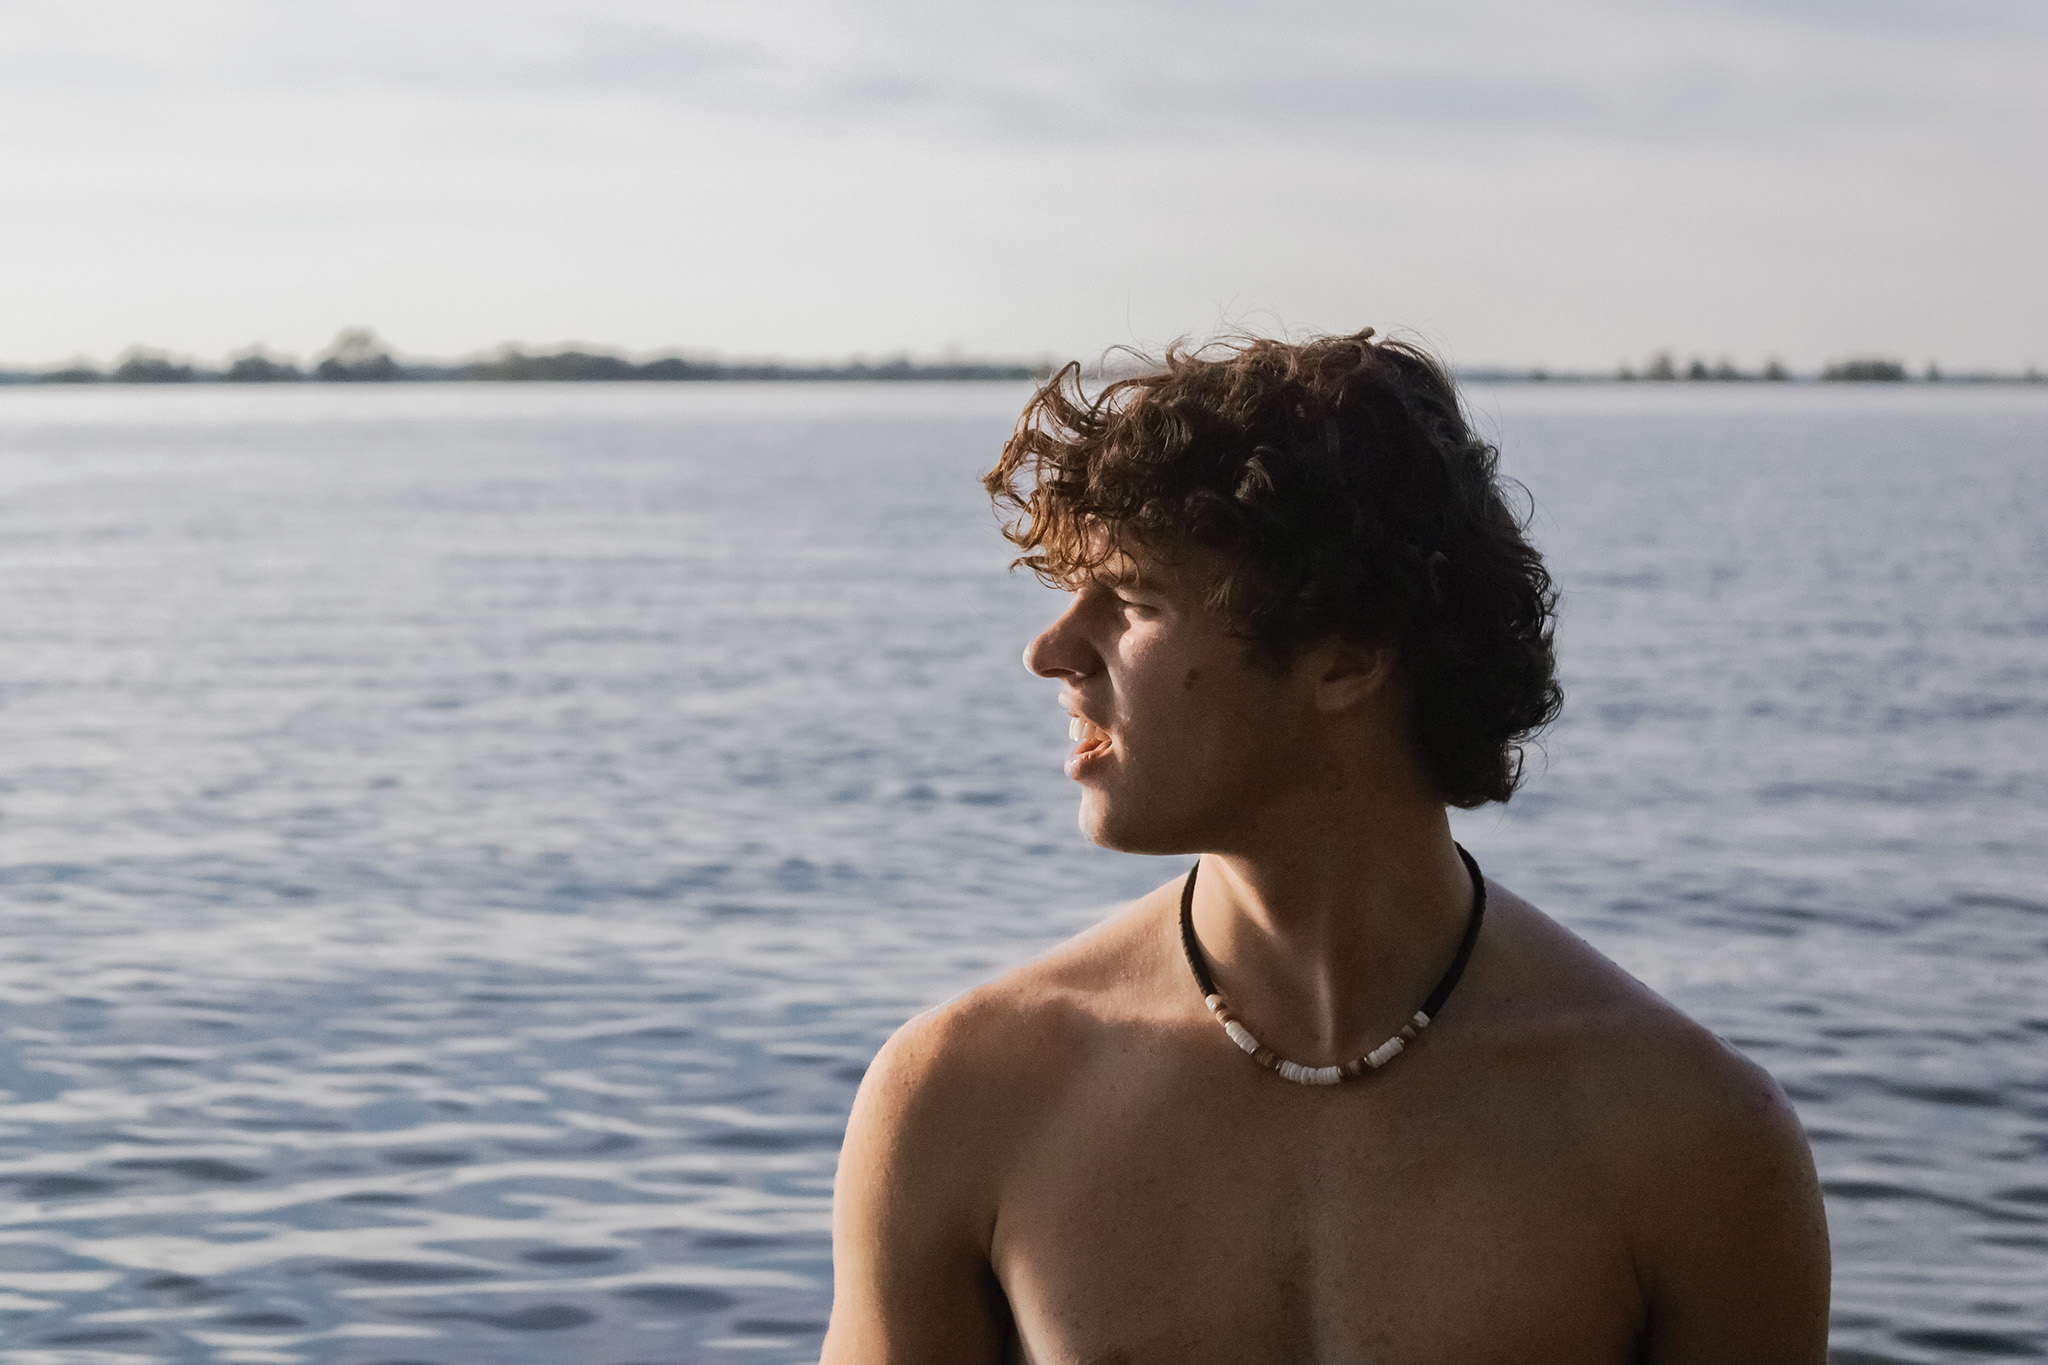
(1185, 734)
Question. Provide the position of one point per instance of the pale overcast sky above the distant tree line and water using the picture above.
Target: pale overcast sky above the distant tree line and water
(1572, 183)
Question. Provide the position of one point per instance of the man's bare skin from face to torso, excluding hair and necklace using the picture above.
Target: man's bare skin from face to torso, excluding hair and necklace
(1074, 1163)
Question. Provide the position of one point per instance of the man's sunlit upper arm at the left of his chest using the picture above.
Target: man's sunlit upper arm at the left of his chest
(912, 1213)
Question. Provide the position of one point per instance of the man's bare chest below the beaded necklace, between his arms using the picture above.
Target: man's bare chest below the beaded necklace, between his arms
(1181, 1227)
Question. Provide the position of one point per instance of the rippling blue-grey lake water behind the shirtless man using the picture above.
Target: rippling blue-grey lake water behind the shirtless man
(462, 844)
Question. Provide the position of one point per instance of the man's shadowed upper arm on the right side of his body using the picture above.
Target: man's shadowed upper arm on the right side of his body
(1736, 1235)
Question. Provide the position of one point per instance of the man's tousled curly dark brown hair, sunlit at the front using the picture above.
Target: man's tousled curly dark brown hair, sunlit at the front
(1349, 498)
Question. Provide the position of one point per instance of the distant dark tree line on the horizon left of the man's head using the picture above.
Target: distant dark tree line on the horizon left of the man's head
(359, 357)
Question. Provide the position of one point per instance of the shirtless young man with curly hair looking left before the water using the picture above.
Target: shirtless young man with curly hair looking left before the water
(1302, 625)
